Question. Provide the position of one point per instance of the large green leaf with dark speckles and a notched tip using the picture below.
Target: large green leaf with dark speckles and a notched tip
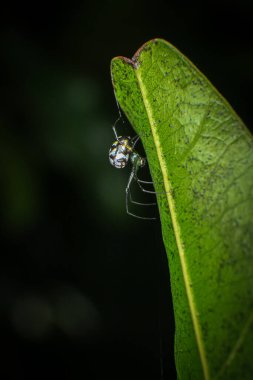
(201, 157)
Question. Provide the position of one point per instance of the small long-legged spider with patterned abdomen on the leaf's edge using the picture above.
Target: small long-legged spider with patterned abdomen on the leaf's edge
(121, 152)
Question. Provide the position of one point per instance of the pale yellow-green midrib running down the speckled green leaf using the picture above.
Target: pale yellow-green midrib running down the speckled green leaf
(176, 228)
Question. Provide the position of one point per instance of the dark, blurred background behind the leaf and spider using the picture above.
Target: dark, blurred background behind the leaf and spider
(84, 287)
